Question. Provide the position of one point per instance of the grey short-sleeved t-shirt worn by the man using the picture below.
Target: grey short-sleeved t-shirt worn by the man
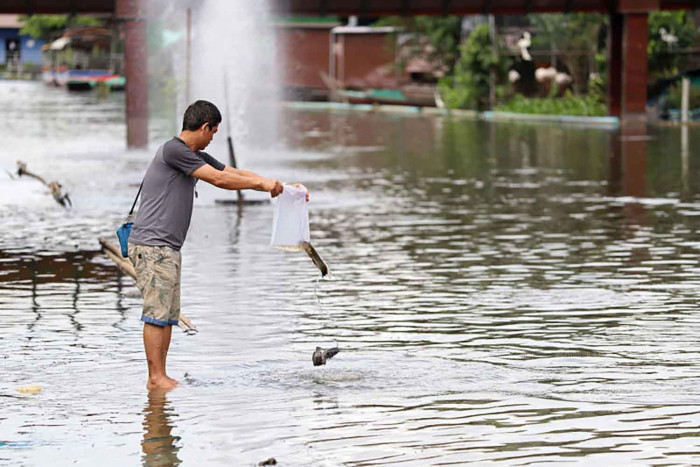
(167, 195)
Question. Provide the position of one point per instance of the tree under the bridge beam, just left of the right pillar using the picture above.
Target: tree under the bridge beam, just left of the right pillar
(567, 35)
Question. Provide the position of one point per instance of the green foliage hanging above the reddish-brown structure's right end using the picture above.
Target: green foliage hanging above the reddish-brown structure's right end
(442, 33)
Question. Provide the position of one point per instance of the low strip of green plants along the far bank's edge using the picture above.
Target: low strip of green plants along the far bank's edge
(568, 105)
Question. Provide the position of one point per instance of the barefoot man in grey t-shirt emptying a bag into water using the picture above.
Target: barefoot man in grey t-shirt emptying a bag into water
(162, 222)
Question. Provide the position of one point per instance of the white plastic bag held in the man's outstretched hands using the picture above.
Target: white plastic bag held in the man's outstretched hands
(290, 224)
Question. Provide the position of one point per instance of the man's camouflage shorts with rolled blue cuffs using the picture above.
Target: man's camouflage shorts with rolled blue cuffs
(158, 279)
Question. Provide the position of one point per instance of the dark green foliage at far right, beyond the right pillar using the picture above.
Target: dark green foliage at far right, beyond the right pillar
(662, 62)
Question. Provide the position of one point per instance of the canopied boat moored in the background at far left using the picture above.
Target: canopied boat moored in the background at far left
(82, 59)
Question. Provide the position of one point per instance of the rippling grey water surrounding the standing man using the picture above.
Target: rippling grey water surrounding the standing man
(507, 293)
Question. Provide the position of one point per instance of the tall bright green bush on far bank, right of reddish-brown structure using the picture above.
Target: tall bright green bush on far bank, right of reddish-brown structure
(469, 86)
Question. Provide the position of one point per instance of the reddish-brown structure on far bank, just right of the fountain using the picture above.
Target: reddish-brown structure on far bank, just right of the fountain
(360, 64)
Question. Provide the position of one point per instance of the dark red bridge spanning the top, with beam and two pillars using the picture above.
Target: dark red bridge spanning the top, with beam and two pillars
(628, 36)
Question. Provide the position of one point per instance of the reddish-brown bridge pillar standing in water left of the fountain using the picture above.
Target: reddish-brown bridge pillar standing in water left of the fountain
(130, 14)
